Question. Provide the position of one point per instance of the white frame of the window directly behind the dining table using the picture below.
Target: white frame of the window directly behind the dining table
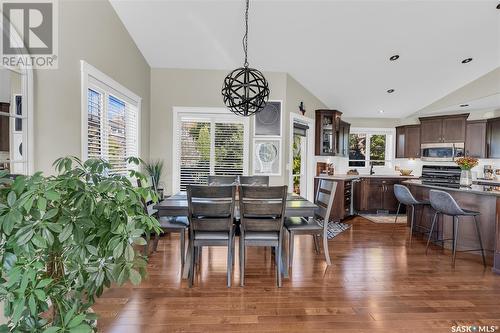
(201, 113)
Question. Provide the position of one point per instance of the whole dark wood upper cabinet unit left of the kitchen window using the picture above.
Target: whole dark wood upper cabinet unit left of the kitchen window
(332, 135)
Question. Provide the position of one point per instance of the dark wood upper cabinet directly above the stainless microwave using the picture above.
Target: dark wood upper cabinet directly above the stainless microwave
(443, 129)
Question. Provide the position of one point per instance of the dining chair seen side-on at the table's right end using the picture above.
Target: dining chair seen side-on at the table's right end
(317, 225)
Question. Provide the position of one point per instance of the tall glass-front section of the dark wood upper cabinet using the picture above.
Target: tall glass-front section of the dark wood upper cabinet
(327, 131)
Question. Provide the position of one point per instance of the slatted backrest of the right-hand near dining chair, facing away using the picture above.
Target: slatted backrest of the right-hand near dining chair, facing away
(262, 208)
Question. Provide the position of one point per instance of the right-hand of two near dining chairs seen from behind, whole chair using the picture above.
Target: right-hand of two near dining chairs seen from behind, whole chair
(262, 211)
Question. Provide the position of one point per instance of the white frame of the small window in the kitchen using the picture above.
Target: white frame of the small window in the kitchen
(390, 152)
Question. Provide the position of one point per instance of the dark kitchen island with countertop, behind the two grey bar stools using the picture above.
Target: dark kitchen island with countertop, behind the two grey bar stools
(481, 198)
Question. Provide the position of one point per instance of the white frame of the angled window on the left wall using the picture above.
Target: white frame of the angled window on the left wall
(89, 72)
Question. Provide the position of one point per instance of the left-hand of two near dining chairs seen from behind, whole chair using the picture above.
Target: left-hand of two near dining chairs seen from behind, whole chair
(211, 214)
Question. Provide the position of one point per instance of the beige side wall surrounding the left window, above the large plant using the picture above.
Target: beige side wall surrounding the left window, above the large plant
(88, 30)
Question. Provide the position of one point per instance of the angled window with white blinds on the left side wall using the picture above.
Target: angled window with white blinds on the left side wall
(111, 115)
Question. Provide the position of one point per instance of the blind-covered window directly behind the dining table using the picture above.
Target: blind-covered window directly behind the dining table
(210, 145)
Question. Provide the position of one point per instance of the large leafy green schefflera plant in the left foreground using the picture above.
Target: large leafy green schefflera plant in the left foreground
(64, 239)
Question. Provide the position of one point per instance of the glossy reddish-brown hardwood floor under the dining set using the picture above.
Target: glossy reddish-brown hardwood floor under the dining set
(376, 284)
